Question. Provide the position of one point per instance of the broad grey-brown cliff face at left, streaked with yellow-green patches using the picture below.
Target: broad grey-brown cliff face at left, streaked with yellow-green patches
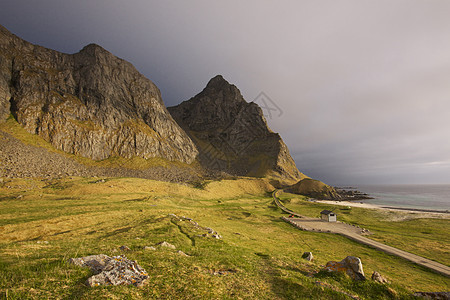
(90, 103)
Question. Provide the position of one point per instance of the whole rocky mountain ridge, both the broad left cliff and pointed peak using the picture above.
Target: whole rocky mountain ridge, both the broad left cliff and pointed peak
(95, 105)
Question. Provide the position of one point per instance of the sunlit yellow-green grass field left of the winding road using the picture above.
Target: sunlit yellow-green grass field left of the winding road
(79, 217)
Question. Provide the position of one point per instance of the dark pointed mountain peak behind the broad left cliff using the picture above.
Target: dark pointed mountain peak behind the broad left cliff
(232, 135)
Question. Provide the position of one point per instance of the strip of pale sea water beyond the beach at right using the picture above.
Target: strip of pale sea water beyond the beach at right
(428, 196)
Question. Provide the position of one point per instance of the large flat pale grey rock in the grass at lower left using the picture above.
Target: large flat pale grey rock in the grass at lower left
(117, 270)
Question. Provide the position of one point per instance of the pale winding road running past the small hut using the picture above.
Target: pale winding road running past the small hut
(357, 234)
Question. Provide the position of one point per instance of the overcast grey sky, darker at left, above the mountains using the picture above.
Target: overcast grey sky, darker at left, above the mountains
(359, 90)
